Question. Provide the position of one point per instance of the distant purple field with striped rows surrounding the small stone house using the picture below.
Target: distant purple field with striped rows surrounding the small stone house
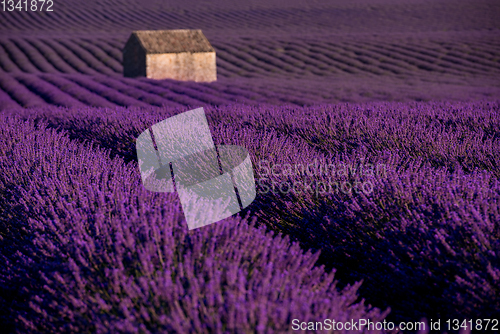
(323, 53)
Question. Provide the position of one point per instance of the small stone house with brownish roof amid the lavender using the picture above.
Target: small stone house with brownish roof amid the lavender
(169, 54)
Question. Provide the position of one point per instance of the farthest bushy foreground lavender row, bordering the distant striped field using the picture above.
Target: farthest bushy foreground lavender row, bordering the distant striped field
(447, 135)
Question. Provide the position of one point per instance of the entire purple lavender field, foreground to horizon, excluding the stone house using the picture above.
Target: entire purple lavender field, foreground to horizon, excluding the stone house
(373, 128)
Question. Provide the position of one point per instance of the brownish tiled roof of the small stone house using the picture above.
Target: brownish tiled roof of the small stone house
(173, 41)
